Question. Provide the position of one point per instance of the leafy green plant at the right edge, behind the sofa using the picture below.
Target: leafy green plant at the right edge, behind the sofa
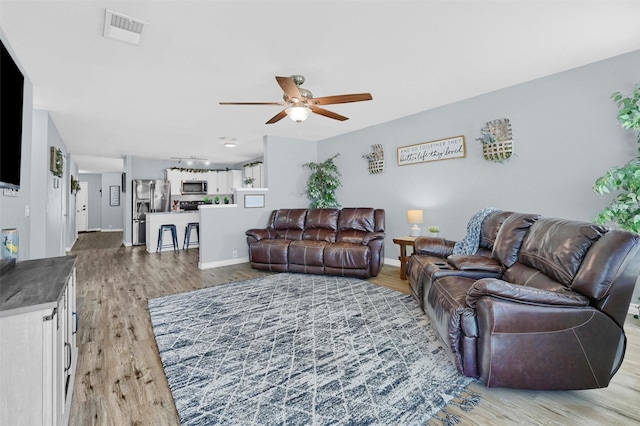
(625, 208)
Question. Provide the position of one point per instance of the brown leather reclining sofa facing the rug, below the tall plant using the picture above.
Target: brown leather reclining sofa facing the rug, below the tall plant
(346, 242)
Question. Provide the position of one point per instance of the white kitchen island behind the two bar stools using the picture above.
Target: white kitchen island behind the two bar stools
(180, 219)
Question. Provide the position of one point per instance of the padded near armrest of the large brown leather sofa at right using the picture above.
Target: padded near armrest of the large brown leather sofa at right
(513, 292)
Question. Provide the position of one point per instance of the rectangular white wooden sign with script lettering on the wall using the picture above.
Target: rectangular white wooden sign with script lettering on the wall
(442, 149)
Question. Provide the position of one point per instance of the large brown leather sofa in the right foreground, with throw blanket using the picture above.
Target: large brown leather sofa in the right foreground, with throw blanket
(549, 313)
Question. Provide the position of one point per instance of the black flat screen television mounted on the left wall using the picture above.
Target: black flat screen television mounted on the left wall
(11, 100)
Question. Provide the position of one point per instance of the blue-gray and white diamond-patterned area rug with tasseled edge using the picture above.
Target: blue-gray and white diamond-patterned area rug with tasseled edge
(301, 349)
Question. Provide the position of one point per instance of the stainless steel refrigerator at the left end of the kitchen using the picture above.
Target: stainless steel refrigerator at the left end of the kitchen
(149, 196)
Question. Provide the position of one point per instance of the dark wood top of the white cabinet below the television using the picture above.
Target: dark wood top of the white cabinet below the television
(34, 285)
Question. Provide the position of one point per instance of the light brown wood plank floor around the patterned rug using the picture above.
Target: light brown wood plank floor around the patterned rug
(120, 380)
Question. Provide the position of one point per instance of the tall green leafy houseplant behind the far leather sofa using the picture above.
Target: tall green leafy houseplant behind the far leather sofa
(322, 184)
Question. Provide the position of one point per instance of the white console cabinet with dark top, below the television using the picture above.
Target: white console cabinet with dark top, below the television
(38, 351)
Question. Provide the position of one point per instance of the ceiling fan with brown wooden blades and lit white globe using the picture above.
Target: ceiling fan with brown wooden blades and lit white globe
(299, 102)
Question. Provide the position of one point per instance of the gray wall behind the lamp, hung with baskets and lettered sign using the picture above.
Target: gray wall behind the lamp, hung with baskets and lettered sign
(565, 136)
